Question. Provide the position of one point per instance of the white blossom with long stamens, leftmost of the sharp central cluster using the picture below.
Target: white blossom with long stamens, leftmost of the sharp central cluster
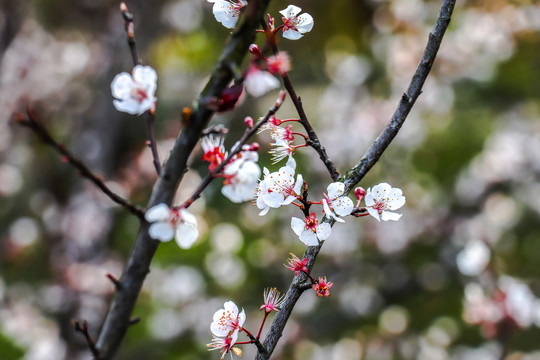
(279, 188)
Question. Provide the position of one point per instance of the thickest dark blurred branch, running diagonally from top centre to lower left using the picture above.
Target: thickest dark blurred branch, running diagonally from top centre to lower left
(117, 320)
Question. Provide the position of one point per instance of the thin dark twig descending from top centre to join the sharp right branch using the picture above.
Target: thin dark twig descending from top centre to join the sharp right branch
(313, 141)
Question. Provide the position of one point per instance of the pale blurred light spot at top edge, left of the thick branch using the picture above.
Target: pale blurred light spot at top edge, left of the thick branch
(183, 15)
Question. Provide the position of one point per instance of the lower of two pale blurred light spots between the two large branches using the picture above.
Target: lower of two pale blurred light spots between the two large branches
(227, 270)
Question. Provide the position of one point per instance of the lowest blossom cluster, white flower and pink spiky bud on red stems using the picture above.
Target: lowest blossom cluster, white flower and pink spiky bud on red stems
(228, 322)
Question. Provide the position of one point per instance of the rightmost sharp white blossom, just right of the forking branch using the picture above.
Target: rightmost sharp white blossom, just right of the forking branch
(382, 198)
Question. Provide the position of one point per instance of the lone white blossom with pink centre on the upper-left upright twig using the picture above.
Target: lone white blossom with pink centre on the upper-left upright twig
(134, 92)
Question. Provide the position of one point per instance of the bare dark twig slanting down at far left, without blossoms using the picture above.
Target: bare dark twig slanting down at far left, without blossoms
(32, 121)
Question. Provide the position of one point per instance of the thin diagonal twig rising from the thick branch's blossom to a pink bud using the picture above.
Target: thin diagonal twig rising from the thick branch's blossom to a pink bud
(237, 148)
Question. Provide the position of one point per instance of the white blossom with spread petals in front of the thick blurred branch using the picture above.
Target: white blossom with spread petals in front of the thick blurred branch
(167, 223)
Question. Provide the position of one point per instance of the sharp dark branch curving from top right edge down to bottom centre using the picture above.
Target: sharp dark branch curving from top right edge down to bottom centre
(353, 176)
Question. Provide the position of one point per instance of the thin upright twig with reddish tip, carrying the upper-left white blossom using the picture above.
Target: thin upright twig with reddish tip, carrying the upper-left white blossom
(149, 115)
